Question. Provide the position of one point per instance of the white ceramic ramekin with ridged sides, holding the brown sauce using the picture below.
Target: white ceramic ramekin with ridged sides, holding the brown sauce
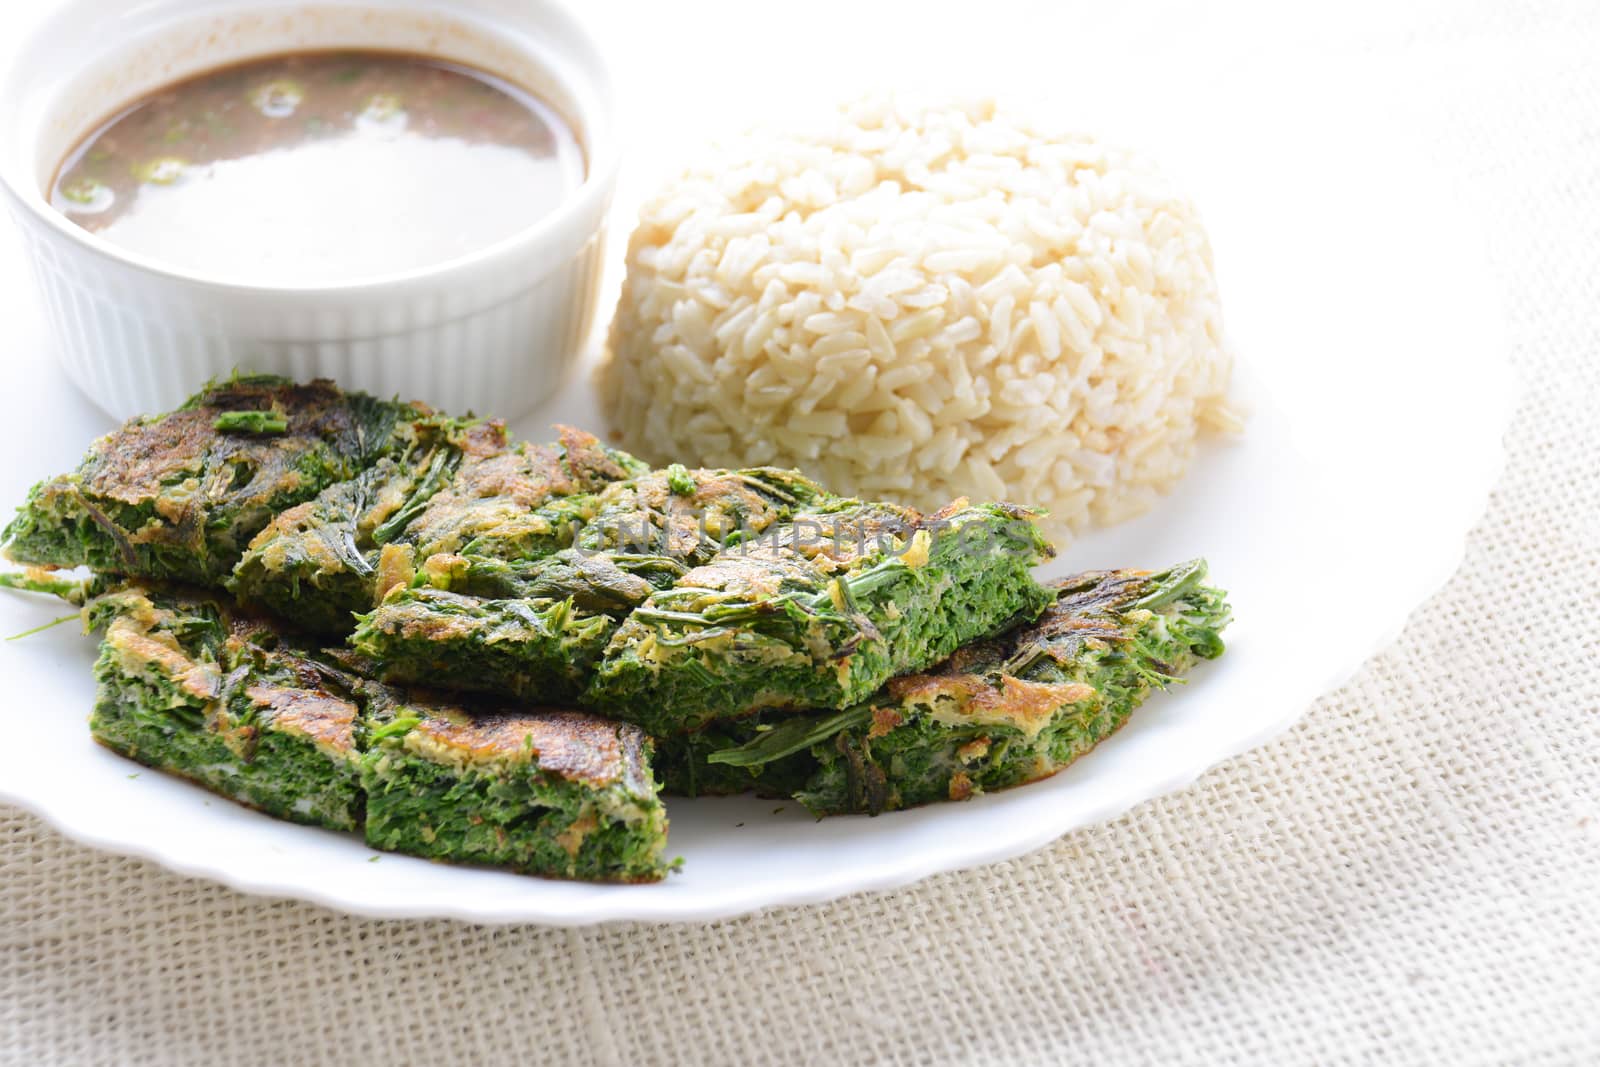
(492, 332)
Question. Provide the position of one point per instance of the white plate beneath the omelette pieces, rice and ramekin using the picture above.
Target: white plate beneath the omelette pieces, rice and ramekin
(1370, 353)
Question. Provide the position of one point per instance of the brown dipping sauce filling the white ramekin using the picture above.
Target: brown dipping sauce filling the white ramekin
(321, 167)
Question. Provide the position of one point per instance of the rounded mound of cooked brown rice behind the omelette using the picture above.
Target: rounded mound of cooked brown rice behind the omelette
(919, 303)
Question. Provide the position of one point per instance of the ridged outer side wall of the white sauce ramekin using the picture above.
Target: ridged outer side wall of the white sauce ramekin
(140, 345)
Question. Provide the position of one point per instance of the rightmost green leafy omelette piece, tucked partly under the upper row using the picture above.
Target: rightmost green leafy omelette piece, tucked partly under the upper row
(999, 713)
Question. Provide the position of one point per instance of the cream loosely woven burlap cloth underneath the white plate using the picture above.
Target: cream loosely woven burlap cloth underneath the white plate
(1407, 877)
